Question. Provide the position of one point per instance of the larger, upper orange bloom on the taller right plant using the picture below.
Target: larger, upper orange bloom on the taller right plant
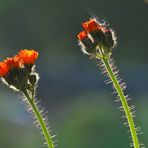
(90, 26)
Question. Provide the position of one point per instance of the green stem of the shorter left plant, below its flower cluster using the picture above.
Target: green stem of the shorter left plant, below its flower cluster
(40, 120)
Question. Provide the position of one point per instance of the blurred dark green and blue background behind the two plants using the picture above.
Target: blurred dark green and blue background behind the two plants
(81, 111)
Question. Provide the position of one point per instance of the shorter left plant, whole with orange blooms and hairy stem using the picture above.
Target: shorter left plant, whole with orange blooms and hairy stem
(18, 72)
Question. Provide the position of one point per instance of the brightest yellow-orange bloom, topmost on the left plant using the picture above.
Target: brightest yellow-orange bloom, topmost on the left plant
(28, 56)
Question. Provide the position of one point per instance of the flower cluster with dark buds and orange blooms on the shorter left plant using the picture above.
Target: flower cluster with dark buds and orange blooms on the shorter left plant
(18, 71)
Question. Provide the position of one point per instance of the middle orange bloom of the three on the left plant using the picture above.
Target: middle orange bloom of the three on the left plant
(14, 62)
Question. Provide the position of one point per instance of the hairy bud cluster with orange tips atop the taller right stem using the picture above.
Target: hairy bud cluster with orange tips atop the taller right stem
(96, 34)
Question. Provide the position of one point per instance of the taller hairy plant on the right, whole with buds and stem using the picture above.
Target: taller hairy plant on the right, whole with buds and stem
(97, 41)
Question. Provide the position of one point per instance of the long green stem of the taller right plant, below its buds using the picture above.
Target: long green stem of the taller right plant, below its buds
(123, 101)
